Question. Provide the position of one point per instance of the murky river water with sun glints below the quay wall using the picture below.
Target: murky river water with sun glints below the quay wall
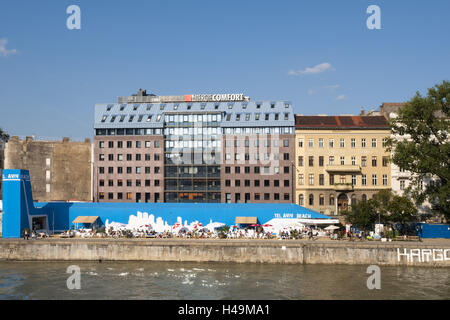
(182, 280)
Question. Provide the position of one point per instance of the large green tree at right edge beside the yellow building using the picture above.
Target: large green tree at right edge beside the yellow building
(423, 147)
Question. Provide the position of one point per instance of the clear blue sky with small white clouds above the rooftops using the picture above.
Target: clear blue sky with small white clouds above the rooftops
(318, 54)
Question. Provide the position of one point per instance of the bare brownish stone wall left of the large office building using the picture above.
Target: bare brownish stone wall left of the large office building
(59, 170)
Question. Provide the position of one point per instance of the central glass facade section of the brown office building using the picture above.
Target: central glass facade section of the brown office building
(192, 156)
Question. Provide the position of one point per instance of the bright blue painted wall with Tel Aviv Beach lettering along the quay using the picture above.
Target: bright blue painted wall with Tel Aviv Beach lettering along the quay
(19, 209)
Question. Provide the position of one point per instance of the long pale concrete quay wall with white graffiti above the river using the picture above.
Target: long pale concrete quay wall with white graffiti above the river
(436, 254)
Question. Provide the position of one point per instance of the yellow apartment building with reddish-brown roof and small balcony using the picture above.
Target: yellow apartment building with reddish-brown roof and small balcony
(340, 160)
